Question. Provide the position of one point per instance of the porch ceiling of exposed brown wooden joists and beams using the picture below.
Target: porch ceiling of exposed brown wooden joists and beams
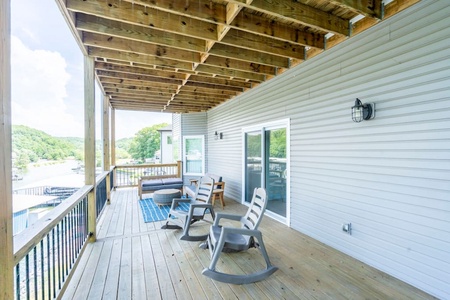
(190, 56)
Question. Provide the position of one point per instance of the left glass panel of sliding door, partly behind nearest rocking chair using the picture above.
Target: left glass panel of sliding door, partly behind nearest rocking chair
(253, 163)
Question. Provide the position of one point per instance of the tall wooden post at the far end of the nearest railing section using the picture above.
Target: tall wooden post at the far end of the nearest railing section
(89, 142)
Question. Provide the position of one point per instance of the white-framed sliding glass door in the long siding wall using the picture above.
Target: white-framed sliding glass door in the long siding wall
(265, 165)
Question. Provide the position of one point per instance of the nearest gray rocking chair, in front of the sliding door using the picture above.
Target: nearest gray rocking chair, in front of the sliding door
(230, 239)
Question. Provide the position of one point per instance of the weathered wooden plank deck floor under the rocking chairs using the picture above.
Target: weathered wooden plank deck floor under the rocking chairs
(136, 260)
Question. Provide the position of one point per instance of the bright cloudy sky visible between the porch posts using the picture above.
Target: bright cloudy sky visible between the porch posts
(47, 76)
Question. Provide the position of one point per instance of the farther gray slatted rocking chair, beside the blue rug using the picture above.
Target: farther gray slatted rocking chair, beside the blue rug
(197, 209)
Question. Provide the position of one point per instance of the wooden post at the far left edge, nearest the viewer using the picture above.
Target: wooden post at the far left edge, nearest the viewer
(6, 212)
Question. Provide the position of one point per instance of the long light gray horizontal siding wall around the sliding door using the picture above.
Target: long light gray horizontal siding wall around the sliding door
(389, 177)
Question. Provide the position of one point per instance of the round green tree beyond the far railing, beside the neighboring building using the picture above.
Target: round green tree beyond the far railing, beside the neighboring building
(146, 142)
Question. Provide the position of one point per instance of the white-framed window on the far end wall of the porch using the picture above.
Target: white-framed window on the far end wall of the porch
(194, 155)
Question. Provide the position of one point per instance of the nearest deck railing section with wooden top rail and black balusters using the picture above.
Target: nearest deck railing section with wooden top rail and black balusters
(46, 252)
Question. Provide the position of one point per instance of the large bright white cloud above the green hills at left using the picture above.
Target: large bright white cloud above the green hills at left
(39, 89)
